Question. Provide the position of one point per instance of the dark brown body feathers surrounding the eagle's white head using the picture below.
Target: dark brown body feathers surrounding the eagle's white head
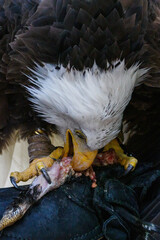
(70, 31)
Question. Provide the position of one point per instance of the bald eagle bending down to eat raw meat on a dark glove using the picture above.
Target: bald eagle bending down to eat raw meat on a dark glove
(71, 67)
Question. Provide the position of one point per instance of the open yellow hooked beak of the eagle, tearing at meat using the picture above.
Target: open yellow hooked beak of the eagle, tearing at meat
(76, 147)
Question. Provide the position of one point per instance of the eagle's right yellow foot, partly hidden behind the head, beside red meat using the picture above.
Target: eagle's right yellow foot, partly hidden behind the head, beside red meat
(113, 153)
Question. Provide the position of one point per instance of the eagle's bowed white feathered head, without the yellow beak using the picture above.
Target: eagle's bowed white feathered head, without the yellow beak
(90, 102)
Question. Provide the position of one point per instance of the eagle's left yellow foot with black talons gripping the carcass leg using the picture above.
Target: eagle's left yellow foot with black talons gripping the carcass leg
(36, 167)
